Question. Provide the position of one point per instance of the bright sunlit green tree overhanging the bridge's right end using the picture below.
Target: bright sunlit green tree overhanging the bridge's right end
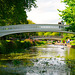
(68, 15)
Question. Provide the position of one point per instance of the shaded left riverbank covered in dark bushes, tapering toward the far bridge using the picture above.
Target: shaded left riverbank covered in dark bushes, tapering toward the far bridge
(13, 46)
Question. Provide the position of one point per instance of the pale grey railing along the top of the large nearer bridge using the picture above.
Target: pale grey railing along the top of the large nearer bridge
(32, 26)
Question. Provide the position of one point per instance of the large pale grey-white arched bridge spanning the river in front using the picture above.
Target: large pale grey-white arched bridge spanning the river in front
(11, 29)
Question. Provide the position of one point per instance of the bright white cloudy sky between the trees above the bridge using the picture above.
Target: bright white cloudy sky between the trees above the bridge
(46, 12)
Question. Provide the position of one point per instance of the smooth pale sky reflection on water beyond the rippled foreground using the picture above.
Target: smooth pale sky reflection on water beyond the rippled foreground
(52, 51)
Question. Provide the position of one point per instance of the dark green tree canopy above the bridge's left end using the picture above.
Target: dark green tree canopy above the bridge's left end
(14, 11)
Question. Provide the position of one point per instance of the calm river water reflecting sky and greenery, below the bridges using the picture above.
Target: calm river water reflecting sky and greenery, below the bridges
(44, 60)
